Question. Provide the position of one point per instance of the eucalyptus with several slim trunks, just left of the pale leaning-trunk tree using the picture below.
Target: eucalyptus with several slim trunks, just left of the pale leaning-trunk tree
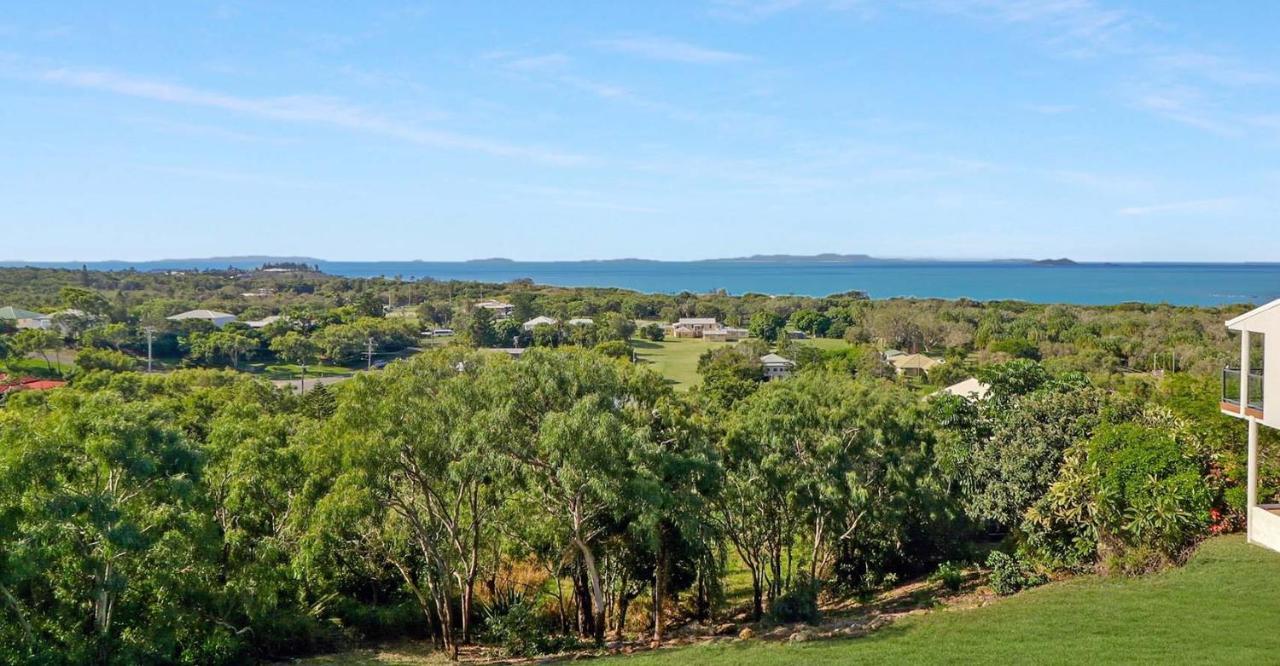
(417, 482)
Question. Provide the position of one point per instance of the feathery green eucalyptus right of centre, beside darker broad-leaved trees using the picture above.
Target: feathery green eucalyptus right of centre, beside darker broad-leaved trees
(820, 458)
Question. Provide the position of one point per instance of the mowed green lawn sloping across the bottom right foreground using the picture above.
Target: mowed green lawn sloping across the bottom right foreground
(1219, 609)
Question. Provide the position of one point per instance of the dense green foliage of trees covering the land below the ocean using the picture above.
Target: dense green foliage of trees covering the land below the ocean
(572, 495)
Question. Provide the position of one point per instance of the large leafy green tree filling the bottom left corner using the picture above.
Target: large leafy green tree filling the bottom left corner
(99, 530)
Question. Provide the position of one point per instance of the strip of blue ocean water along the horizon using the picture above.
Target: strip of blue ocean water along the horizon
(1078, 284)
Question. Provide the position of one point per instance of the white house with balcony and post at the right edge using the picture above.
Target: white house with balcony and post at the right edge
(1245, 390)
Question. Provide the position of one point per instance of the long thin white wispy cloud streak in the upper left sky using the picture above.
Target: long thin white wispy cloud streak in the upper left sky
(299, 110)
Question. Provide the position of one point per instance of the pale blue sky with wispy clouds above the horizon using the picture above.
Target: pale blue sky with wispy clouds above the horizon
(683, 130)
